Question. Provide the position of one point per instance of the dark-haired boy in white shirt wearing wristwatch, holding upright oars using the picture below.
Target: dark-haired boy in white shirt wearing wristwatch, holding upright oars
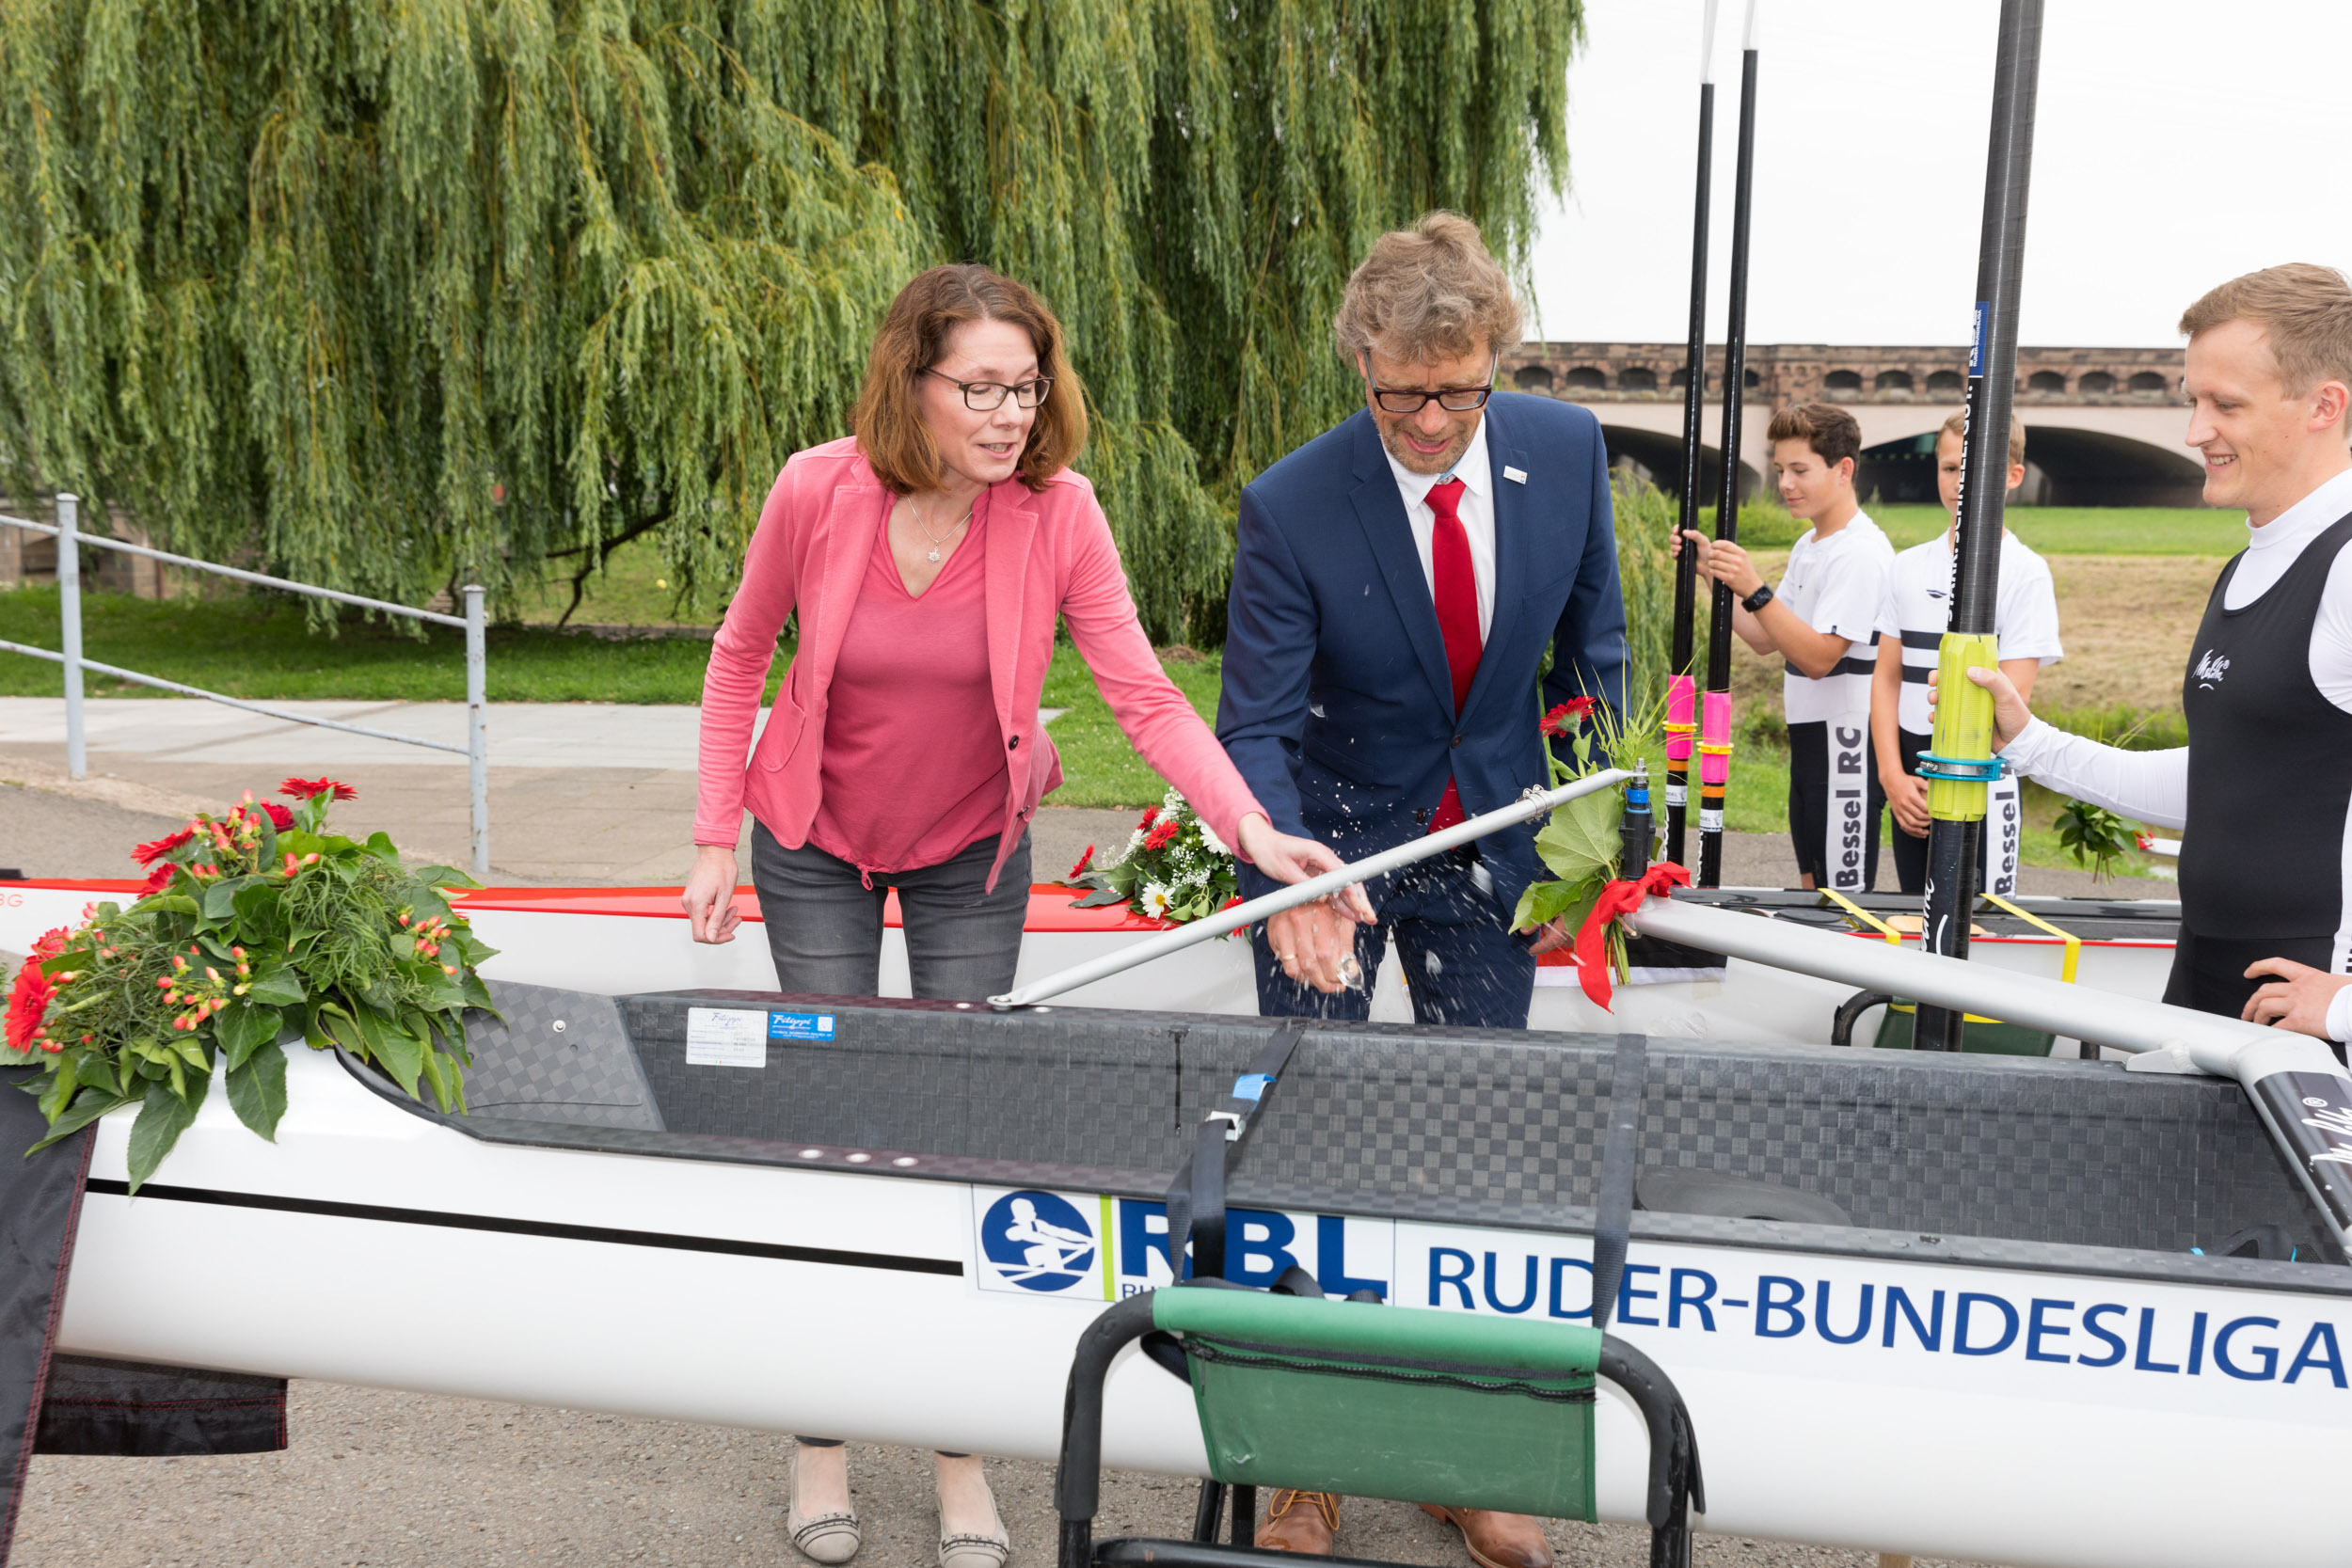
(1822, 619)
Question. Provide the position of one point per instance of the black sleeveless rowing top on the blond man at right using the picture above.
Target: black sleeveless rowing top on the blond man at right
(2271, 763)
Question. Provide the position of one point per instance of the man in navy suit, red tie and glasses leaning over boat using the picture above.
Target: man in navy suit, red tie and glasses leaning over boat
(1396, 587)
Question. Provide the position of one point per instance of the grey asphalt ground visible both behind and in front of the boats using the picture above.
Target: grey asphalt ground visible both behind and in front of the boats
(389, 1480)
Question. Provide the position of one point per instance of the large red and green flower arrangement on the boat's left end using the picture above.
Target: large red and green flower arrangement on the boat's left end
(253, 925)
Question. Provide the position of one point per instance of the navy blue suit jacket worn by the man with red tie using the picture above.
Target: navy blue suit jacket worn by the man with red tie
(1339, 706)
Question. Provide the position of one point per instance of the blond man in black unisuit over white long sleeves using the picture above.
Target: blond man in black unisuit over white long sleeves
(2264, 789)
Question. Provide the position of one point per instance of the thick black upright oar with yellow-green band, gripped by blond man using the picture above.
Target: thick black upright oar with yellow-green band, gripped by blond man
(1960, 763)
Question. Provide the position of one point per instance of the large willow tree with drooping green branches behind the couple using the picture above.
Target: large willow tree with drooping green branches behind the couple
(389, 293)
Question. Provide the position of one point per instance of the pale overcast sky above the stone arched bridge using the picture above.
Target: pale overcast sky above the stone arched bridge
(2179, 145)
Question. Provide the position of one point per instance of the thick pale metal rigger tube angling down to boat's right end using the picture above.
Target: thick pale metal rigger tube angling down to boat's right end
(2294, 1083)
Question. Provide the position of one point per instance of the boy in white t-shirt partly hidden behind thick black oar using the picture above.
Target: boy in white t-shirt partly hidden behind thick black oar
(1913, 619)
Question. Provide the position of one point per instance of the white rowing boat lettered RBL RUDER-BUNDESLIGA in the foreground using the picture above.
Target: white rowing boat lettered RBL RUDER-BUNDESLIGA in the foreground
(893, 1221)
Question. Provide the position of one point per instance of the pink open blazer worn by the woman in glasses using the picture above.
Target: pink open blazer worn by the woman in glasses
(1048, 556)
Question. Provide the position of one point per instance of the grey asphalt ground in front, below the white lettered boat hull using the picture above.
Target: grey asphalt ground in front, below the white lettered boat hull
(380, 1480)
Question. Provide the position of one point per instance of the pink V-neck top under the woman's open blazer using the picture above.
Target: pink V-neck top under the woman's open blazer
(911, 706)
